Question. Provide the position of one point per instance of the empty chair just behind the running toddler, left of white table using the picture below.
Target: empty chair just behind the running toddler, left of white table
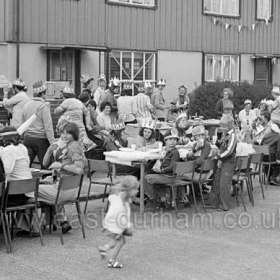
(101, 166)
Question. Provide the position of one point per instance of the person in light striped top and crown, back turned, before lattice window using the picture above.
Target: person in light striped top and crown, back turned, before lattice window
(143, 102)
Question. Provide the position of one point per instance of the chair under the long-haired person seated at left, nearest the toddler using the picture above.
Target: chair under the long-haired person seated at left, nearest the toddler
(68, 183)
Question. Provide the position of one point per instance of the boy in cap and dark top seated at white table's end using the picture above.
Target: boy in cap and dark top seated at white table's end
(163, 173)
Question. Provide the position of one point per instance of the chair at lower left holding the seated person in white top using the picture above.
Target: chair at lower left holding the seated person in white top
(21, 187)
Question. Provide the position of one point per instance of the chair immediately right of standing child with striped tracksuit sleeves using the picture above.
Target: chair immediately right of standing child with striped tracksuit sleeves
(241, 174)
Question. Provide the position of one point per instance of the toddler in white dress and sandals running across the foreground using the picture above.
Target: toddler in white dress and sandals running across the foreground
(117, 220)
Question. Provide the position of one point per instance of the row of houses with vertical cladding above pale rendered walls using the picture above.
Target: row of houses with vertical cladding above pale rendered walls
(184, 41)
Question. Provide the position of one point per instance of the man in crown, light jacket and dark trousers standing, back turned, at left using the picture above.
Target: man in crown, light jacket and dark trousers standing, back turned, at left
(40, 133)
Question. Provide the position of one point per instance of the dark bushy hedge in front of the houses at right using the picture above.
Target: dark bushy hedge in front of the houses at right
(204, 98)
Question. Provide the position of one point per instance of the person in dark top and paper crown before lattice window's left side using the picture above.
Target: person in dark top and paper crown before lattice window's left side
(113, 90)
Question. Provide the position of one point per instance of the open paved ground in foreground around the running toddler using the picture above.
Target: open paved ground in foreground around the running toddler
(231, 245)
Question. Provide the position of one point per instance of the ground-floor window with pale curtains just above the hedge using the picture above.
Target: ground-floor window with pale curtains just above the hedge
(221, 67)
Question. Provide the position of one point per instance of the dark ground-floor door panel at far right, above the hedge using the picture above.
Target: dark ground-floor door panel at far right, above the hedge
(263, 71)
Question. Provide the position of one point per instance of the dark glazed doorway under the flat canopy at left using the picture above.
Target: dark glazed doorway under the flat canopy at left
(61, 66)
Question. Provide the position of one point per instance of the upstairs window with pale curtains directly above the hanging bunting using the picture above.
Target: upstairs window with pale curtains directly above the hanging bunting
(222, 7)
